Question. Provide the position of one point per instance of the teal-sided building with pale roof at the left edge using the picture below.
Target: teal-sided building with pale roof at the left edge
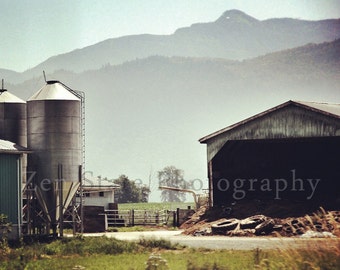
(11, 174)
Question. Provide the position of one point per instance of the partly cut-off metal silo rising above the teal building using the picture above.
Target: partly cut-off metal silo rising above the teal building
(12, 118)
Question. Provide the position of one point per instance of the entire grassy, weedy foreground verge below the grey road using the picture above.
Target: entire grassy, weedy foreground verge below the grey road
(109, 253)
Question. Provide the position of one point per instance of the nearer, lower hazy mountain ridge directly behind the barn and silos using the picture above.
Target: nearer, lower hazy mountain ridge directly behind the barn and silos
(149, 112)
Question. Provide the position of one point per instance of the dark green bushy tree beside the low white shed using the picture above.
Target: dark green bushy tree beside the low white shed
(129, 192)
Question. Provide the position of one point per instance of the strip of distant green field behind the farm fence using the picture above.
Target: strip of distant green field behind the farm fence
(155, 206)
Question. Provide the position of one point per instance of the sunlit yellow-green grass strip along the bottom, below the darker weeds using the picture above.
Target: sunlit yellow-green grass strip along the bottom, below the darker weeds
(185, 259)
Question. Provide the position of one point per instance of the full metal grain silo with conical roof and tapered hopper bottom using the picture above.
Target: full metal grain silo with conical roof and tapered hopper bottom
(54, 135)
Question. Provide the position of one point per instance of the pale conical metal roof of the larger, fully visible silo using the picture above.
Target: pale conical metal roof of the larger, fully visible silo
(53, 90)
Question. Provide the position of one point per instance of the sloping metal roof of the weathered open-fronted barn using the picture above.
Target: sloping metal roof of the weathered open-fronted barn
(332, 110)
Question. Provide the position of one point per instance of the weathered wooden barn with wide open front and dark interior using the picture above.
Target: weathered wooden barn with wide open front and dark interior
(281, 162)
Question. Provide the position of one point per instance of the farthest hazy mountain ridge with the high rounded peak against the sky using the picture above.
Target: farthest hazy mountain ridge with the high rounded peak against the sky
(234, 35)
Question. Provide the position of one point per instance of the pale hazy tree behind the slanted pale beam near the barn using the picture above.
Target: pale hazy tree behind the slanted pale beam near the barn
(172, 177)
